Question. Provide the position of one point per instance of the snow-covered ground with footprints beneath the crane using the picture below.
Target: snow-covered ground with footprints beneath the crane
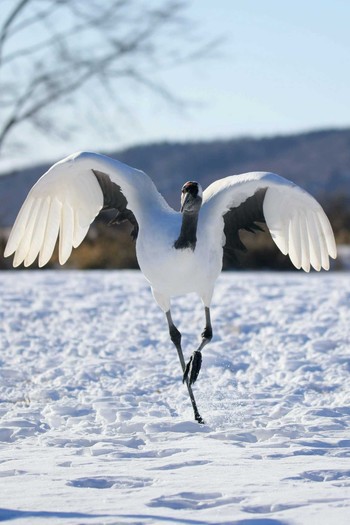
(96, 426)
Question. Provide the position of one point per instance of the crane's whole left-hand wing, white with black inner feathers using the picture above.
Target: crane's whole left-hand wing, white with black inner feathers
(67, 198)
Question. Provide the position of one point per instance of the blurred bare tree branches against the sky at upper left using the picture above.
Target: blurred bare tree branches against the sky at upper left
(53, 50)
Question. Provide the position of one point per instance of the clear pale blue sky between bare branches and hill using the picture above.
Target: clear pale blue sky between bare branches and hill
(283, 67)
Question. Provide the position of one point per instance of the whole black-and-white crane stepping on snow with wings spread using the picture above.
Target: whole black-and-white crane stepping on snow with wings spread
(178, 252)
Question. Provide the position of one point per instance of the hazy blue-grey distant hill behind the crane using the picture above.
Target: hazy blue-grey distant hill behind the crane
(318, 161)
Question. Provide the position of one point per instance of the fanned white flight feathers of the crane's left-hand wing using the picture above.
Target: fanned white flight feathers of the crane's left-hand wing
(63, 202)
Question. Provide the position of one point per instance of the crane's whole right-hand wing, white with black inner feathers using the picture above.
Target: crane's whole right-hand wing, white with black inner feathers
(296, 221)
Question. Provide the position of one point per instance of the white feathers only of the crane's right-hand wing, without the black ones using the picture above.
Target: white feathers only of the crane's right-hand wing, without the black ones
(296, 221)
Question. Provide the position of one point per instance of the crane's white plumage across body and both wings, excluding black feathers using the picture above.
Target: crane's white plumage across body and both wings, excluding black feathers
(68, 197)
